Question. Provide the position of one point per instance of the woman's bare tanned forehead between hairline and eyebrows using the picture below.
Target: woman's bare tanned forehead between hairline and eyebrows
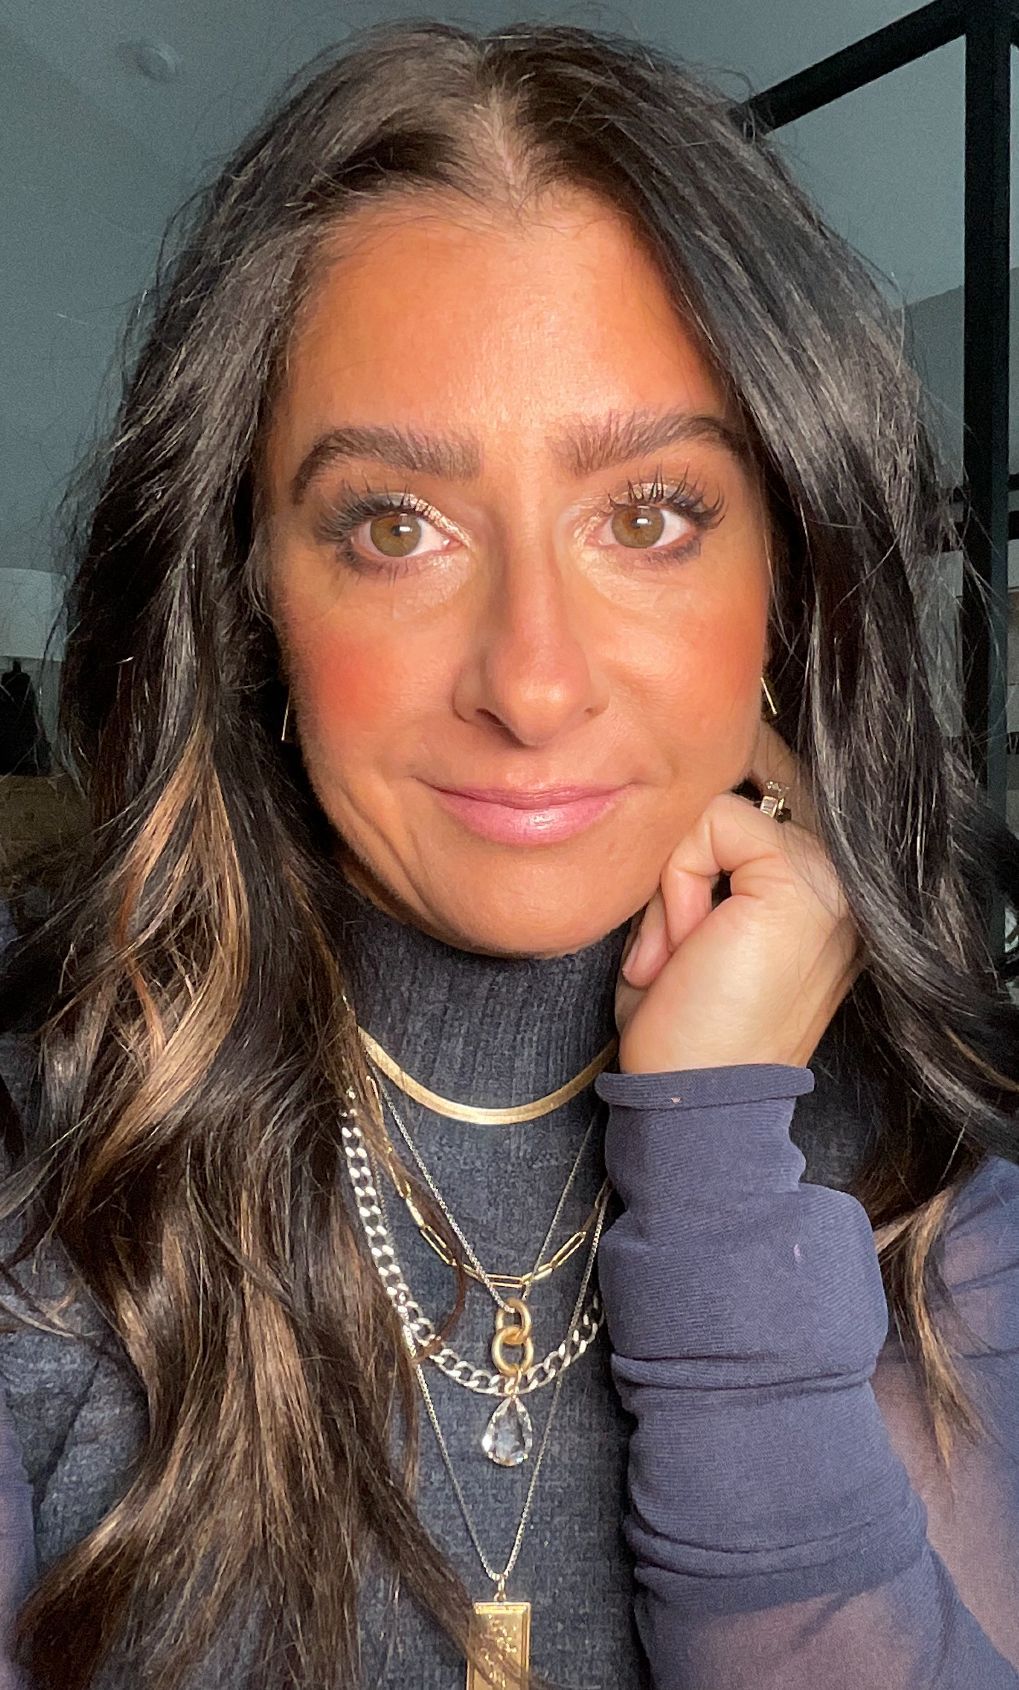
(435, 313)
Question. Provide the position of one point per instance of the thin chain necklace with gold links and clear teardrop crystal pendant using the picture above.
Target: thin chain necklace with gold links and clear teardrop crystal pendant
(508, 1437)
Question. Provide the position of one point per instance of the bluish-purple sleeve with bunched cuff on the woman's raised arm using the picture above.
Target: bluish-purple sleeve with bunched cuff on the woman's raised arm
(788, 1522)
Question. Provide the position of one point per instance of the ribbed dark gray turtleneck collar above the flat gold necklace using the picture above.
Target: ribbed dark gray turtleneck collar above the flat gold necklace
(479, 1028)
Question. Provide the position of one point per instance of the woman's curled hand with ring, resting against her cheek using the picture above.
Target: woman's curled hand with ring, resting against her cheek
(758, 978)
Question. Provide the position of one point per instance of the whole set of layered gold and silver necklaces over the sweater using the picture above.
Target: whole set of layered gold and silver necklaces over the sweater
(504, 1625)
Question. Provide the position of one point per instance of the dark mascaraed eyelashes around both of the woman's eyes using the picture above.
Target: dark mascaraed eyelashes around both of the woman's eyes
(356, 506)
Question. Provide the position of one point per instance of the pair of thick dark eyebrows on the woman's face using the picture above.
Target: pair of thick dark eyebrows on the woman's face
(580, 449)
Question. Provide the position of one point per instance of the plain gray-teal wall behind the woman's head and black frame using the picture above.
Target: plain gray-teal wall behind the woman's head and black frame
(95, 158)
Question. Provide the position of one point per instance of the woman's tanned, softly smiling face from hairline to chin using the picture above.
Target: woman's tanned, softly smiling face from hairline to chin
(574, 596)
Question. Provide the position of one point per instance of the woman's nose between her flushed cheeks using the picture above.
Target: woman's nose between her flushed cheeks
(531, 662)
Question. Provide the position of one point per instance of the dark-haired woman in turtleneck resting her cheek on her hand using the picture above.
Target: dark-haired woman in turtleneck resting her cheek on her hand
(516, 540)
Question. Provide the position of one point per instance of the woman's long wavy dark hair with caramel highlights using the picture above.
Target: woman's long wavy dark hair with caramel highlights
(195, 1040)
